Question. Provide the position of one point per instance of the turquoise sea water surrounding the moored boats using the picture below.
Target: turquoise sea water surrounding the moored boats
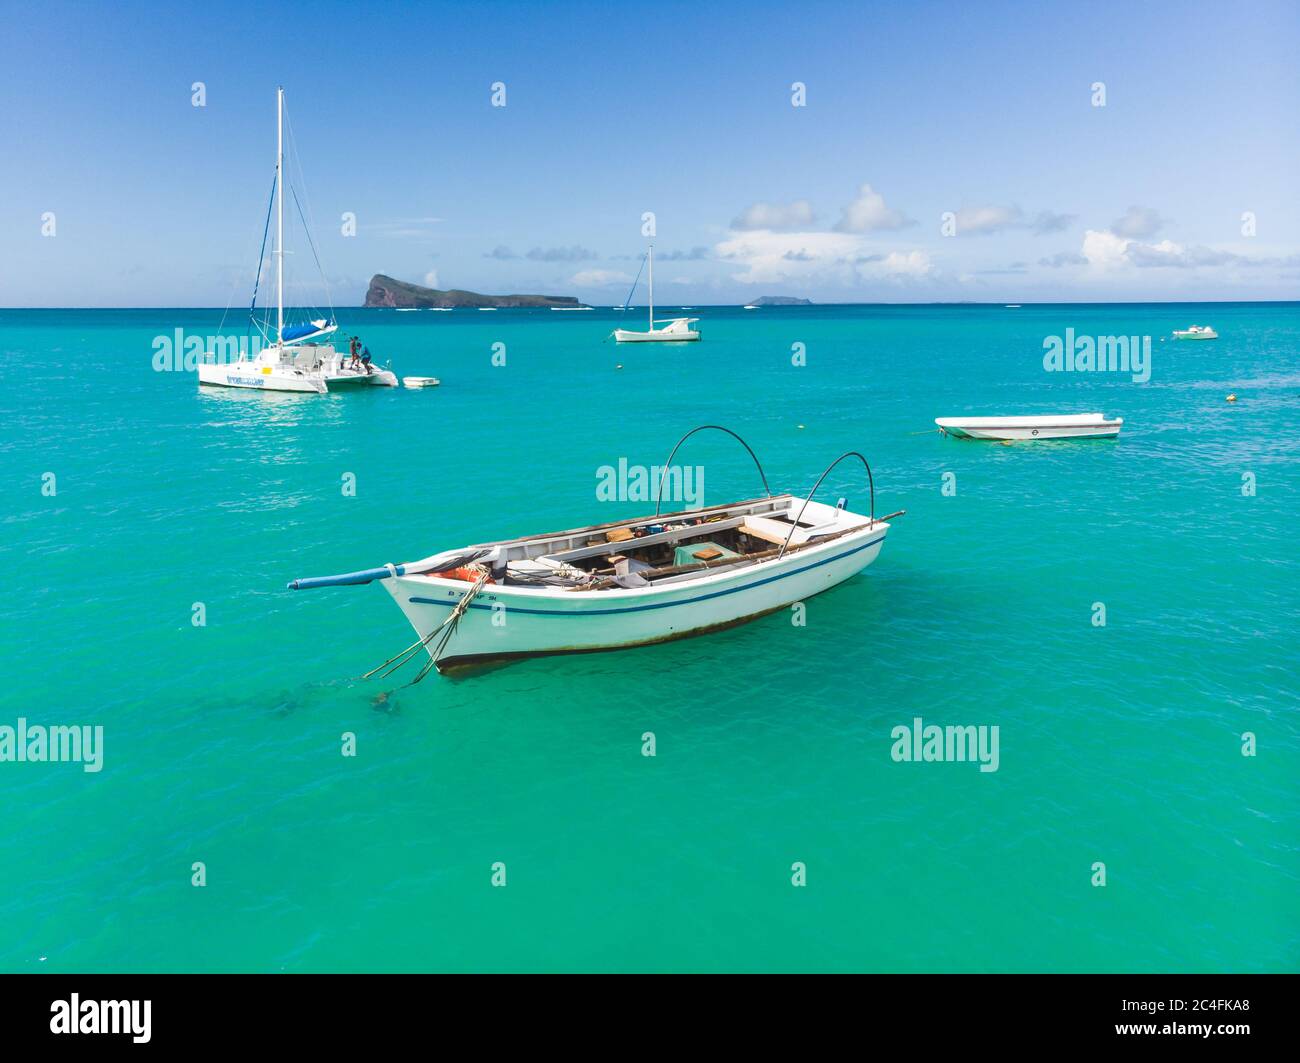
(223, 743)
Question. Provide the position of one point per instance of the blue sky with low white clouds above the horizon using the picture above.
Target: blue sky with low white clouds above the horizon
(913, 111)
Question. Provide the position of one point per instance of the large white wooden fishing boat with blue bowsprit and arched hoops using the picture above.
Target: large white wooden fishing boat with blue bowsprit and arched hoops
(629, 583)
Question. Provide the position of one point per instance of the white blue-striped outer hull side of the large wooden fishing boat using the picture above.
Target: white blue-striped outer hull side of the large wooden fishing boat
(505, 623)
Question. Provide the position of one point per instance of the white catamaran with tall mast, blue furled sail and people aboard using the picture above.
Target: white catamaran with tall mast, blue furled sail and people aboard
(293, 361)
